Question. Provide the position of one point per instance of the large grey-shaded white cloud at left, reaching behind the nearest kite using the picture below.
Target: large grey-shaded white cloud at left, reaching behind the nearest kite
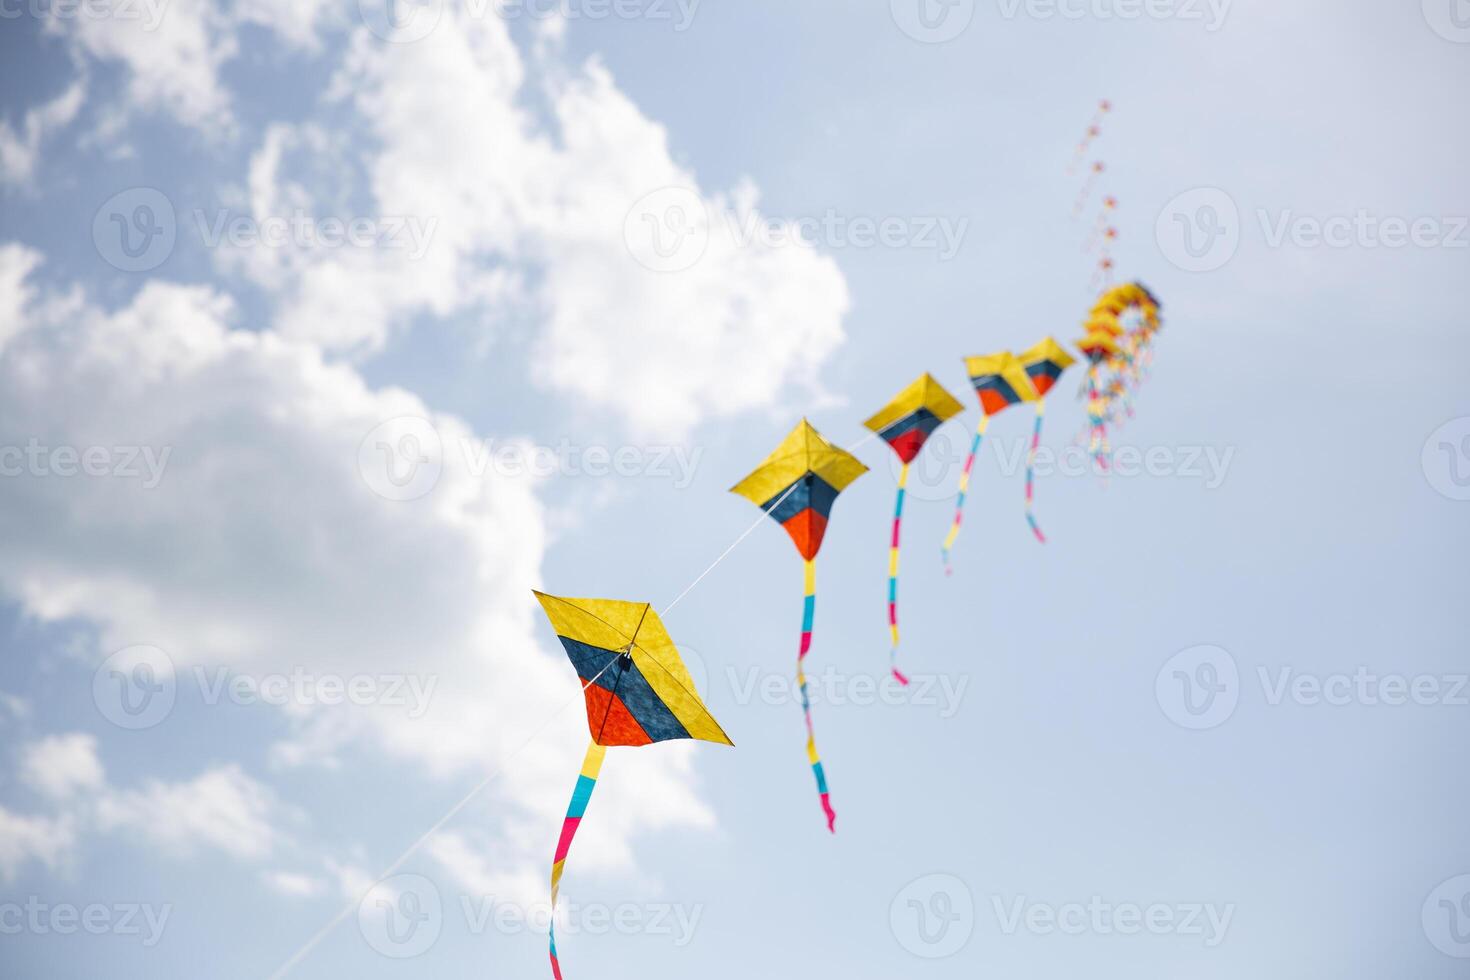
(265, 550)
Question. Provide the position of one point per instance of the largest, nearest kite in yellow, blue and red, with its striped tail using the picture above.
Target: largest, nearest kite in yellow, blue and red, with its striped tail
(637, 693)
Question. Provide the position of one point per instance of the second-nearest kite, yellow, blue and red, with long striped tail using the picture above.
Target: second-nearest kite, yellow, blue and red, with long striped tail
(797, 486)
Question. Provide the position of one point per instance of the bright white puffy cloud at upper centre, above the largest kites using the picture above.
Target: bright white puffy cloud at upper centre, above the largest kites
(530, 223)
